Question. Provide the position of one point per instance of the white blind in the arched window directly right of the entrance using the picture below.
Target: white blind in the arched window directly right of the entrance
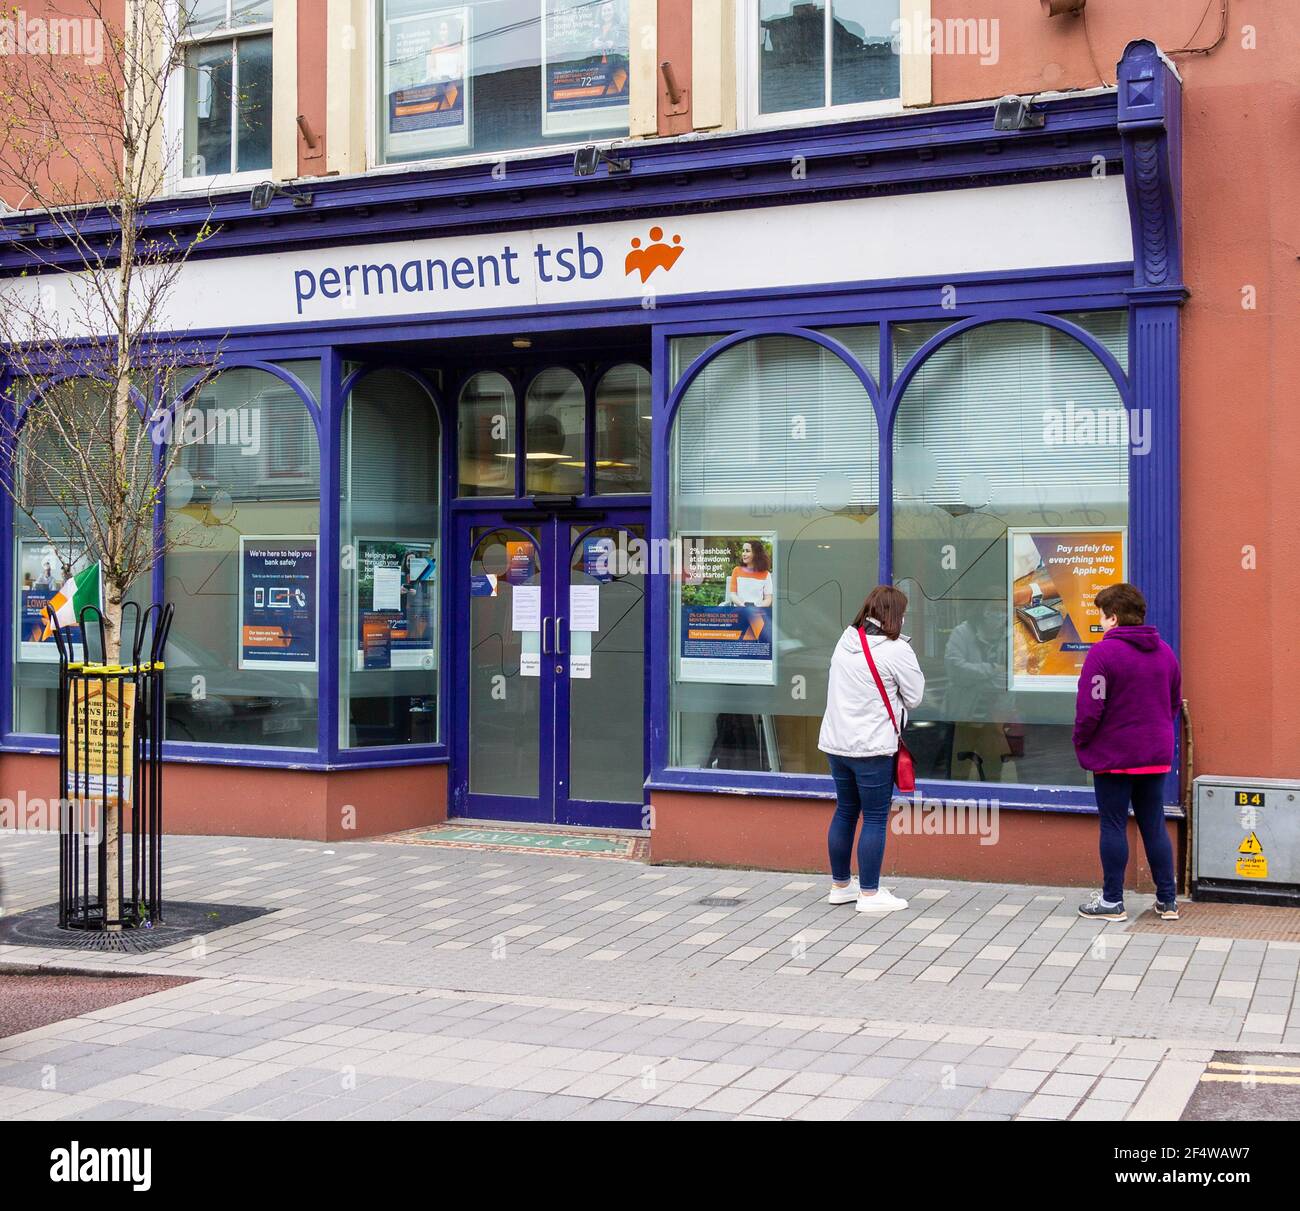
(777, 420)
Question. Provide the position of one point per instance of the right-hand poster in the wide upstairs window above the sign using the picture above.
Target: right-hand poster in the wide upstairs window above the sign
(584, 66)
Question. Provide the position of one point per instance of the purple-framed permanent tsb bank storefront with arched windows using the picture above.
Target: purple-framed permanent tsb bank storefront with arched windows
(545, 500)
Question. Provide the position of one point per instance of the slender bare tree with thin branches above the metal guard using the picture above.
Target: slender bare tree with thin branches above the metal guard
(84, 151)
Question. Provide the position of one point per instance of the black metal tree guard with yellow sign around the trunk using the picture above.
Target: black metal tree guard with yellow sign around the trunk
(111, 776)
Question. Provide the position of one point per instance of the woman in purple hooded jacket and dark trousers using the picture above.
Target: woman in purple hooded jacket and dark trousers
(1130, 693)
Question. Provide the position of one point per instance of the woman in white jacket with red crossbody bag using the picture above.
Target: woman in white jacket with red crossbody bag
(860, 743)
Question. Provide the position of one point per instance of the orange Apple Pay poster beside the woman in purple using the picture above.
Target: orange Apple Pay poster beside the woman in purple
(1054, 576)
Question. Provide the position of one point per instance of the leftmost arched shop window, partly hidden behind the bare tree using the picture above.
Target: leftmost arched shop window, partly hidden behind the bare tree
(46, 546)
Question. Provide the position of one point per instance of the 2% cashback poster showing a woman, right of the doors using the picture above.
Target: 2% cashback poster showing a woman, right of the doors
(727, 604)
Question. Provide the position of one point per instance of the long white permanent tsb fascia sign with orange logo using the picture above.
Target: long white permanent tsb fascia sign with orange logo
(957, 232)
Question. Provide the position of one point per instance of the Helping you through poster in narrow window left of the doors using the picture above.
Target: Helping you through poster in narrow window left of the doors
(396, 594)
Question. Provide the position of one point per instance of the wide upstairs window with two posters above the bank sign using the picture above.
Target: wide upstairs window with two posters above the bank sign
(489, 76)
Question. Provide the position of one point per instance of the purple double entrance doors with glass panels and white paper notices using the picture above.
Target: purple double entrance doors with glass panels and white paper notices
(552, 680)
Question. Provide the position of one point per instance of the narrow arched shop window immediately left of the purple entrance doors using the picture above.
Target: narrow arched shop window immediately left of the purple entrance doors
(392, 568)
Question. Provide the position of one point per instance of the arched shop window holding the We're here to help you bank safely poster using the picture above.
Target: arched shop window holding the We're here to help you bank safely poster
(244, 518)
